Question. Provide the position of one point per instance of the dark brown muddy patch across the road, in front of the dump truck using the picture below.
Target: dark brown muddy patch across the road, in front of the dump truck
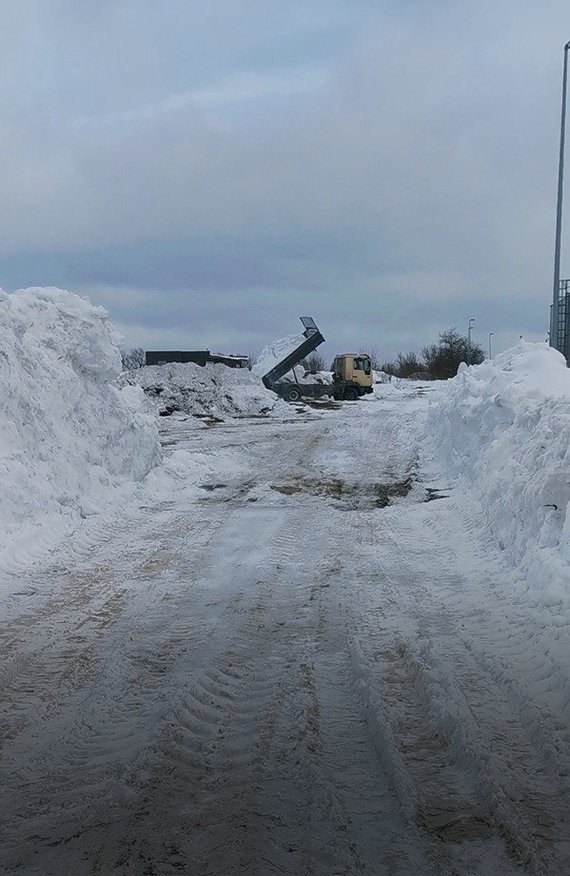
(347, 496)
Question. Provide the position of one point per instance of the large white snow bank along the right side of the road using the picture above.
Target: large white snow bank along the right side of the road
(504, 427)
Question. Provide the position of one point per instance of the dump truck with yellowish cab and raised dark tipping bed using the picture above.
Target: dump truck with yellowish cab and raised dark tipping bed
(351, 378)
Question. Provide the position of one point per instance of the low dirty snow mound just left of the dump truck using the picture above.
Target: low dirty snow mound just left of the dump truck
(213, 389)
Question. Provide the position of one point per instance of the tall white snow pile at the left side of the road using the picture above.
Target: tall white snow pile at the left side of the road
(68, 437)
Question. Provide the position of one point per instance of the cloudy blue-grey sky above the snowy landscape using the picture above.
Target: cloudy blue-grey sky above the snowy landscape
(209, 172)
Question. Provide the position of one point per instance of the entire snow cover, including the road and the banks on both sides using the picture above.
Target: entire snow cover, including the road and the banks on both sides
(299, 639)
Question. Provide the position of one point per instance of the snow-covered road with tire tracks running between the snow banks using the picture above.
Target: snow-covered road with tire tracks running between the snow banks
(307, 662)
